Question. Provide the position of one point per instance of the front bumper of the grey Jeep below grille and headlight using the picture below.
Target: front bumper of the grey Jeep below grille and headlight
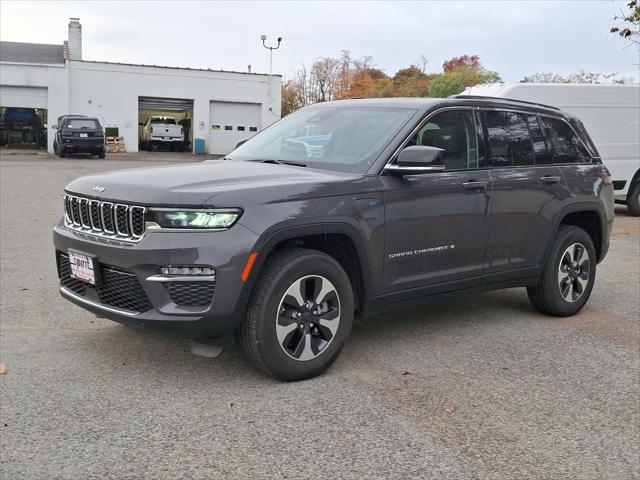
(187, 314)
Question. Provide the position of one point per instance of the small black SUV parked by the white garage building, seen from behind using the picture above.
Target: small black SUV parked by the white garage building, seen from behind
(79, 134)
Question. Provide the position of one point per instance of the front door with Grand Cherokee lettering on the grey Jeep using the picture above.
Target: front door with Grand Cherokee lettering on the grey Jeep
(436, 223)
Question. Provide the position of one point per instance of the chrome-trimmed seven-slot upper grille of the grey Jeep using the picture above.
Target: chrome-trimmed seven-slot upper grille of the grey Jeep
(104, 218)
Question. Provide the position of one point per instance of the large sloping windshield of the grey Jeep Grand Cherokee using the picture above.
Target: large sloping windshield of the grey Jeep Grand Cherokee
(330, 138)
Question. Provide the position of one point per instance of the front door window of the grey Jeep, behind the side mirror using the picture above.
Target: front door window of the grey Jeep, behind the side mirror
(454, 131)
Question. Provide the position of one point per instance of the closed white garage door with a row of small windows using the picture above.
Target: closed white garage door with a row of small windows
(231, 122)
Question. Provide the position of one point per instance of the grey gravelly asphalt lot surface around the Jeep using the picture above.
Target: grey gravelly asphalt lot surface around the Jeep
(483, 388)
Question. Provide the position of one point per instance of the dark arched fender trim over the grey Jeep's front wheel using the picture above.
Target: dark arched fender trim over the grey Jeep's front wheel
(269, 239)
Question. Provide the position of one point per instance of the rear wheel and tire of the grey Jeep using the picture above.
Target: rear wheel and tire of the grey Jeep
(564, 287)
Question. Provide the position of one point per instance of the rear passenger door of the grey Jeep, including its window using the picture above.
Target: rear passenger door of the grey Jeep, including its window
(527, 192)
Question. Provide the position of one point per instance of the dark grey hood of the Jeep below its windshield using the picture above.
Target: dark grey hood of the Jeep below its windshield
(215, 183)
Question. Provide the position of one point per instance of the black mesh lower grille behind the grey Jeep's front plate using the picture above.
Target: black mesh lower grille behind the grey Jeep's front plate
(117, 287)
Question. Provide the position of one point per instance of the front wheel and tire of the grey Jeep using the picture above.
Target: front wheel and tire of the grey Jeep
(275, 343)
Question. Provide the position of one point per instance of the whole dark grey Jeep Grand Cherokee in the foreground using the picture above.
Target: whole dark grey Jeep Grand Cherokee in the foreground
(285, 240)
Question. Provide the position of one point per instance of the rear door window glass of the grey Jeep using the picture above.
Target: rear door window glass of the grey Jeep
(509, 143)
